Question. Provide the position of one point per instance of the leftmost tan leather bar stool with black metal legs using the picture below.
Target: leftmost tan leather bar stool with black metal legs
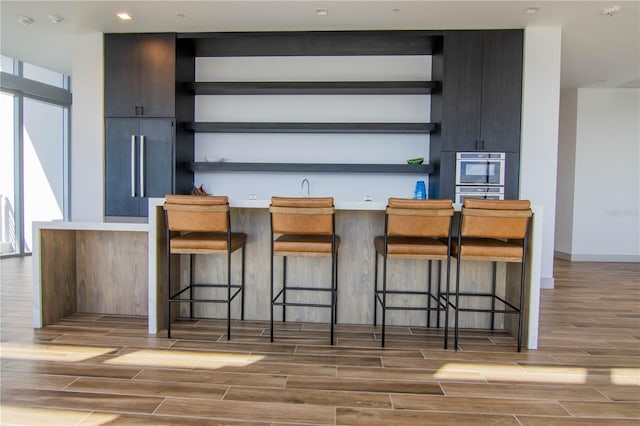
(202, 225)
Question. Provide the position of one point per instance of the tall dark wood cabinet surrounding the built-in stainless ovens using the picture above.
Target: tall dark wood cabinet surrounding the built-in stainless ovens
(479, 106)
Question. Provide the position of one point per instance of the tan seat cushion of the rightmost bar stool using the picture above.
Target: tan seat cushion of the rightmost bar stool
(487, 249)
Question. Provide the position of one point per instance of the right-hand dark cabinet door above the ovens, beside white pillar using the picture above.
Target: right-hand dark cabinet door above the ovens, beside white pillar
(502, 90)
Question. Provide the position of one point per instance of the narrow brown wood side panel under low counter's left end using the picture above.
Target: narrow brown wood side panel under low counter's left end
(58, 274)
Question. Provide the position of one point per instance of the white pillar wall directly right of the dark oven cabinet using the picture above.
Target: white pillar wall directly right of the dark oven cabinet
(539, 145)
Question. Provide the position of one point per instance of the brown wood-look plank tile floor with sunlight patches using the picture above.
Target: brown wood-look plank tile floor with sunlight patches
(105, 370)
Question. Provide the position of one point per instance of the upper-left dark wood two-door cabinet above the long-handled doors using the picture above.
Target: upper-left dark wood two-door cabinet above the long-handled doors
(140, 75)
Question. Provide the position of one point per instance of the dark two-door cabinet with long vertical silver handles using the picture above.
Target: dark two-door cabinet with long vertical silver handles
(139, 163)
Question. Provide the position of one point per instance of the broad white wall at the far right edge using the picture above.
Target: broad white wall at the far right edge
(606, 222)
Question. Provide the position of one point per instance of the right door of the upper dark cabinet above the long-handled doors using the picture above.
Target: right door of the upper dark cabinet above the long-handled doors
(157, 75)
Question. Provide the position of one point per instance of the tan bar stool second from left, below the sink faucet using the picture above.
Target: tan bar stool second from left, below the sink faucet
(303, 227)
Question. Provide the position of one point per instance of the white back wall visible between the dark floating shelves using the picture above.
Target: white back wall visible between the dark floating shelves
(312, 148)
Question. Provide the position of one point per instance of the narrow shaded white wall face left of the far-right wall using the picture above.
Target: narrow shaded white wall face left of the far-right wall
(566, 172)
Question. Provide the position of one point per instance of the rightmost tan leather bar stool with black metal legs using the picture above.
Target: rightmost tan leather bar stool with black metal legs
(492, 231)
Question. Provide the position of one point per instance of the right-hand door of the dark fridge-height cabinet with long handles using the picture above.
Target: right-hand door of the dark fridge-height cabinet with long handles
(157, 159)
